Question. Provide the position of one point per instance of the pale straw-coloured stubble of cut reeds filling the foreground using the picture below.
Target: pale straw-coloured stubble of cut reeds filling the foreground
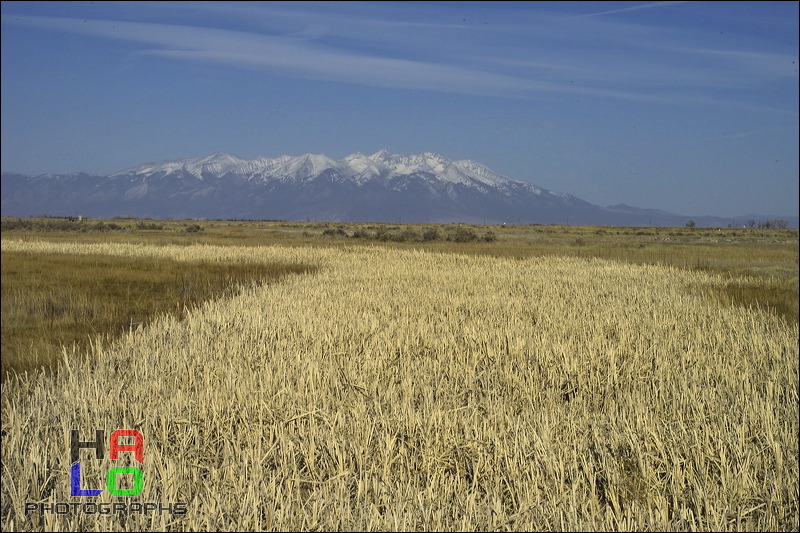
(413, 390)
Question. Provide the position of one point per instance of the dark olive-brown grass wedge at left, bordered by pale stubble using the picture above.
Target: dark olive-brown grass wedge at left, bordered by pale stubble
(56, 300)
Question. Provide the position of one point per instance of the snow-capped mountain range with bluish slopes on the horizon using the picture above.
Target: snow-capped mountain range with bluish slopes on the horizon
(381, 187)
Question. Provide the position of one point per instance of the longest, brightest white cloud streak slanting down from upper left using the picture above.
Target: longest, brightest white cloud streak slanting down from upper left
(299, 58)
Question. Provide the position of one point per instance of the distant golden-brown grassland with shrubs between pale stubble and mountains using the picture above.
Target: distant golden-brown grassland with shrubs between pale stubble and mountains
(761, 264)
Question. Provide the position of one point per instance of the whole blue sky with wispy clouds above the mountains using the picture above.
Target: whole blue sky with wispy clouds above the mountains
(691, 107)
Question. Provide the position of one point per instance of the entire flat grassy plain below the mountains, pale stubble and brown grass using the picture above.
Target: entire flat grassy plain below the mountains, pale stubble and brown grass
(304, 376)
